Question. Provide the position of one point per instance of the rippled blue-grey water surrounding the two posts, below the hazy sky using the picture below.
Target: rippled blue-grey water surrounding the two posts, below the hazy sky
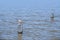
(37, 25)
